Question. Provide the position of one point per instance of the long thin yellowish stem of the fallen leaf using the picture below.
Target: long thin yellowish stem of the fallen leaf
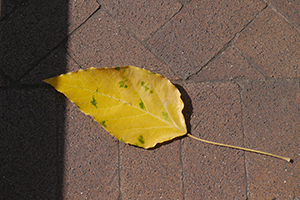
(241, 148)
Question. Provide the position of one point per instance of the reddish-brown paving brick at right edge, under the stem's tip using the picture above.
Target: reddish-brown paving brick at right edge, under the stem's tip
(271, 123)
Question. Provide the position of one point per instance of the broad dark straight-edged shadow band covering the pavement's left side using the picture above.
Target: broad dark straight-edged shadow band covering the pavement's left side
(31, 112)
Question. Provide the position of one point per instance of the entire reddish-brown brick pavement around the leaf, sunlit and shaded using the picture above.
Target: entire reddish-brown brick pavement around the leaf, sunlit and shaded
(235, 62)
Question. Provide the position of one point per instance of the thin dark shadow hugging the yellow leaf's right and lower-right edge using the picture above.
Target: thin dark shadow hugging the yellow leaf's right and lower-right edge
(187, 113)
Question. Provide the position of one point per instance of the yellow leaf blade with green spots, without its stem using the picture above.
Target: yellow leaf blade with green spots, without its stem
(135, 105)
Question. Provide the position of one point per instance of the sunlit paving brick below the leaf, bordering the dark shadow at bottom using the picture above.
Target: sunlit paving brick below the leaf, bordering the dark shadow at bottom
(90, 160)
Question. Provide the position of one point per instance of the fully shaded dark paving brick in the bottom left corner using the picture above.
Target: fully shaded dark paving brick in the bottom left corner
(28, 140)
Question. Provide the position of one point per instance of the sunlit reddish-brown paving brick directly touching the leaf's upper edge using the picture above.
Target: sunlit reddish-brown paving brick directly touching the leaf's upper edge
(102, 42)
